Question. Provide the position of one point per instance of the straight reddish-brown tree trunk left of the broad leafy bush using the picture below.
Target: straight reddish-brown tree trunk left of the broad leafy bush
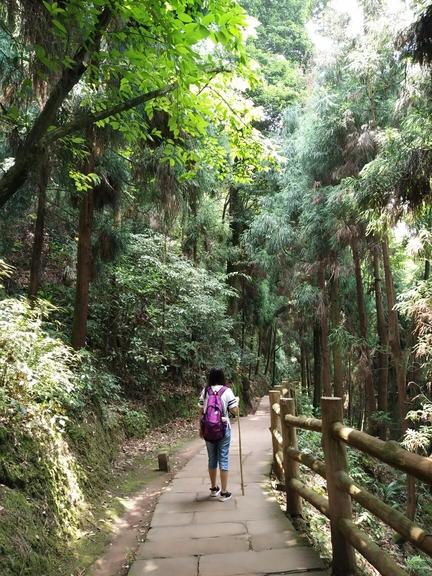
(84, 267)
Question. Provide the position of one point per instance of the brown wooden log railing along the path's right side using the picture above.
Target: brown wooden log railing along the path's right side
(341, 488)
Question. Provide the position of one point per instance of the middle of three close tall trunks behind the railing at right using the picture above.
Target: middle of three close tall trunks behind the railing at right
(382, 328)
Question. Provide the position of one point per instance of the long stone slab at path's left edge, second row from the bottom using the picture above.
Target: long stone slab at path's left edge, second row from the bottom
(193, 547)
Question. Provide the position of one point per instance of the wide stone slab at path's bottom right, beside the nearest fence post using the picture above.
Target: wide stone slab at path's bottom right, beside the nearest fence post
(267, 561)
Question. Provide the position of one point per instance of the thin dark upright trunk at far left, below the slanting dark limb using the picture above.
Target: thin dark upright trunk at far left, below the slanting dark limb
(38, 241)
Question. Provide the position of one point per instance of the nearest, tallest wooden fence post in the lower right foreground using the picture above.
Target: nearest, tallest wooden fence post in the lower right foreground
(339, 501)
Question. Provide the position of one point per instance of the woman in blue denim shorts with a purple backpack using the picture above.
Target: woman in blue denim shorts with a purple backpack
(217, 401)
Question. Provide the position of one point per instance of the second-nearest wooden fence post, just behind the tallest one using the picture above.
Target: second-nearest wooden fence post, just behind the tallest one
(291, 467)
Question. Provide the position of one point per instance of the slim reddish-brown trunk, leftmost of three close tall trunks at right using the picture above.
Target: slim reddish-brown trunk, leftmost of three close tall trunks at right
(370, 404)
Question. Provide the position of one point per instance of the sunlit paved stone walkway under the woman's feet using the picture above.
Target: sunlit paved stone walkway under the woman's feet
(191, 535)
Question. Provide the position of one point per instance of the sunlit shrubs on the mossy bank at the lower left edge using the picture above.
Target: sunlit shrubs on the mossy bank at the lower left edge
(56, 439)
